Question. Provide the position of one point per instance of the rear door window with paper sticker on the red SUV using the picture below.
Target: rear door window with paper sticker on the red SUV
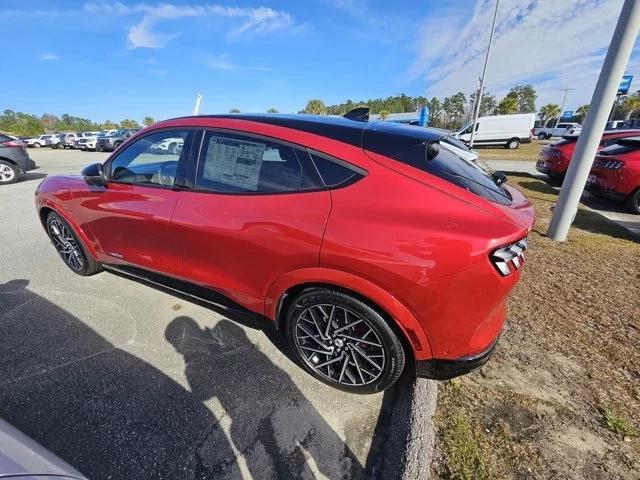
(231, 163)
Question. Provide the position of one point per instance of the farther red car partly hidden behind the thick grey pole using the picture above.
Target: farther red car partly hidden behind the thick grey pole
(554, 159)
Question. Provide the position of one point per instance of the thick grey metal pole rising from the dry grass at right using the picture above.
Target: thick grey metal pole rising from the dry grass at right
(615, 62)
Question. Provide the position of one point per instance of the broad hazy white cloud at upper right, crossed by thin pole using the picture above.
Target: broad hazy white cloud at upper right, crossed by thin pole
(550, 44)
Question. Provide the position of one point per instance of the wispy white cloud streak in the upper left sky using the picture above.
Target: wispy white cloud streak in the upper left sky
(144, 34)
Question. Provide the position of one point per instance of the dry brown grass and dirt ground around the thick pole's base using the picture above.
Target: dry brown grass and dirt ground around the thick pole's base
(561, 396)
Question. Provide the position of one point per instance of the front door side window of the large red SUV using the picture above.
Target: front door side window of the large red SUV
(150, 160)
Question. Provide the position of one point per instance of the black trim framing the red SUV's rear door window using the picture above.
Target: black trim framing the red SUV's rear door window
(226, 131)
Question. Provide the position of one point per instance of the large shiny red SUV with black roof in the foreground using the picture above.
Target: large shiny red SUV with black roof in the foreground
(371, 245)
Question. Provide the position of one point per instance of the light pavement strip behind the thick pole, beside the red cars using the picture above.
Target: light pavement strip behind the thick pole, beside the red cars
(611, 210)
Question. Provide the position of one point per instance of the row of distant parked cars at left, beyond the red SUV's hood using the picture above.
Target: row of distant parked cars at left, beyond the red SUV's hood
(107, 140)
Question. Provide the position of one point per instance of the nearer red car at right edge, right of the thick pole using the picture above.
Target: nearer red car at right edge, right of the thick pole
(616, 173)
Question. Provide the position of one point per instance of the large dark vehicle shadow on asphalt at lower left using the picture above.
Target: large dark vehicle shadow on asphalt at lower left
(103, 410)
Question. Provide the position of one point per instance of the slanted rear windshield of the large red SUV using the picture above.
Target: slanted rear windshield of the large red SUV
(442, 163)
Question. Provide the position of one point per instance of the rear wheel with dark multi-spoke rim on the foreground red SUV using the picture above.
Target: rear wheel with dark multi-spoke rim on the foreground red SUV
(343, 341)
